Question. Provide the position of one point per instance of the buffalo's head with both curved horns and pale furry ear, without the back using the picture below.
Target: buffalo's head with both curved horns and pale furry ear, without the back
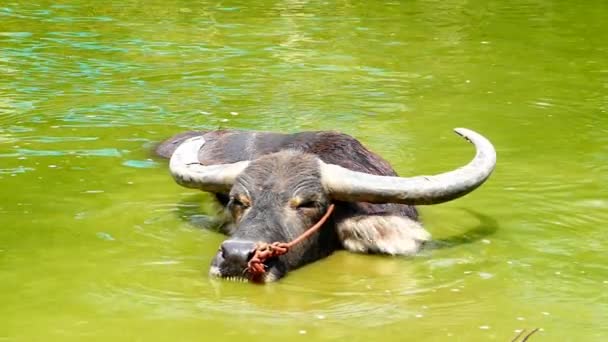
(278, 196)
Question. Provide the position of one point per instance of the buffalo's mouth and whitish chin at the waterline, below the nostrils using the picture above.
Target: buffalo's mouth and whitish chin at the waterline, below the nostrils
(222, 269)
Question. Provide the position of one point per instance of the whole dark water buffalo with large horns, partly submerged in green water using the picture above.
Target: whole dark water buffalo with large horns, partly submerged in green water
(275, 186)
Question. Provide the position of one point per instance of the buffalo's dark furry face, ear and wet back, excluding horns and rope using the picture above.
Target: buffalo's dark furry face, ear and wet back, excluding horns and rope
(284, 173)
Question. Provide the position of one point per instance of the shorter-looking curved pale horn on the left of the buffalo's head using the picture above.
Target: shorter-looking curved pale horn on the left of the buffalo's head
(189, 172)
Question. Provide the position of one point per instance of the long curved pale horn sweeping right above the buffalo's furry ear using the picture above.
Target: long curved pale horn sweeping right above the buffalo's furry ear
(346, 185)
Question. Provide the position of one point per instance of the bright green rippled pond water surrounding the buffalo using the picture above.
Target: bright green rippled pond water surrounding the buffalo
(97, 243)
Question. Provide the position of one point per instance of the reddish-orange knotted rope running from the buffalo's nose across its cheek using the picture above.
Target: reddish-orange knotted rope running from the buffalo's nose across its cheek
(265, 251)
